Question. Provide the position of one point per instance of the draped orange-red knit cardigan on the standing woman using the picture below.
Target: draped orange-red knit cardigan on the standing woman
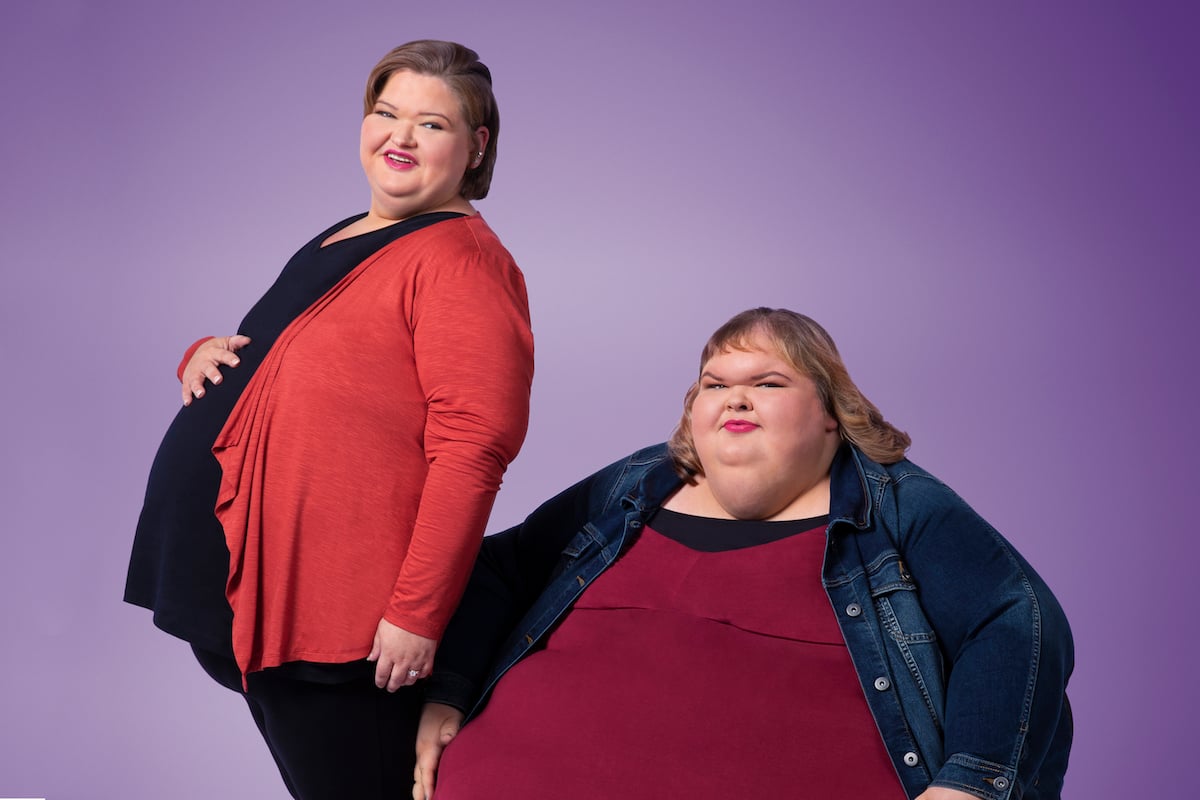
(361, 465)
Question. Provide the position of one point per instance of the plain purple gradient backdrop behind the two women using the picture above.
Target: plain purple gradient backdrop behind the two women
(992, 208)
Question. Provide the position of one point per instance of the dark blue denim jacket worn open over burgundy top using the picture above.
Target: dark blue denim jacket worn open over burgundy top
(962, 651)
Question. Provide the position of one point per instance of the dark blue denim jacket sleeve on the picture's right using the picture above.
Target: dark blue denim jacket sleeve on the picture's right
(1005, 641)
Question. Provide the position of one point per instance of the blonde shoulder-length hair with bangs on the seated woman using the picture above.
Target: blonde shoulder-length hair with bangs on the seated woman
(809, 350)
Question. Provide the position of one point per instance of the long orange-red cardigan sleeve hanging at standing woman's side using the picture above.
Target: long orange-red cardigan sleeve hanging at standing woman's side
(475, 360)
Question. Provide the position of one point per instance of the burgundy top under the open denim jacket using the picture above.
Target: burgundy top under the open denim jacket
(683, 673)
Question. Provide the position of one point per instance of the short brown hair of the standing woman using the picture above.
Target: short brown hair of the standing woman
(471, 82)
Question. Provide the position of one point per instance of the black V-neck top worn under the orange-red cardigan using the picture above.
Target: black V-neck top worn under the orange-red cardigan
(181, 562)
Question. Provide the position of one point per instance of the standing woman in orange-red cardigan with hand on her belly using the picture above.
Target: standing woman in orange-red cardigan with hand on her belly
(314, 510)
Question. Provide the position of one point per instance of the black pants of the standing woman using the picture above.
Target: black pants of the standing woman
(331, 742)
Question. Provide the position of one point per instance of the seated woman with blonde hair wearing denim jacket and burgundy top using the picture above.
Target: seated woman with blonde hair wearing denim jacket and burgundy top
(776, 604)
